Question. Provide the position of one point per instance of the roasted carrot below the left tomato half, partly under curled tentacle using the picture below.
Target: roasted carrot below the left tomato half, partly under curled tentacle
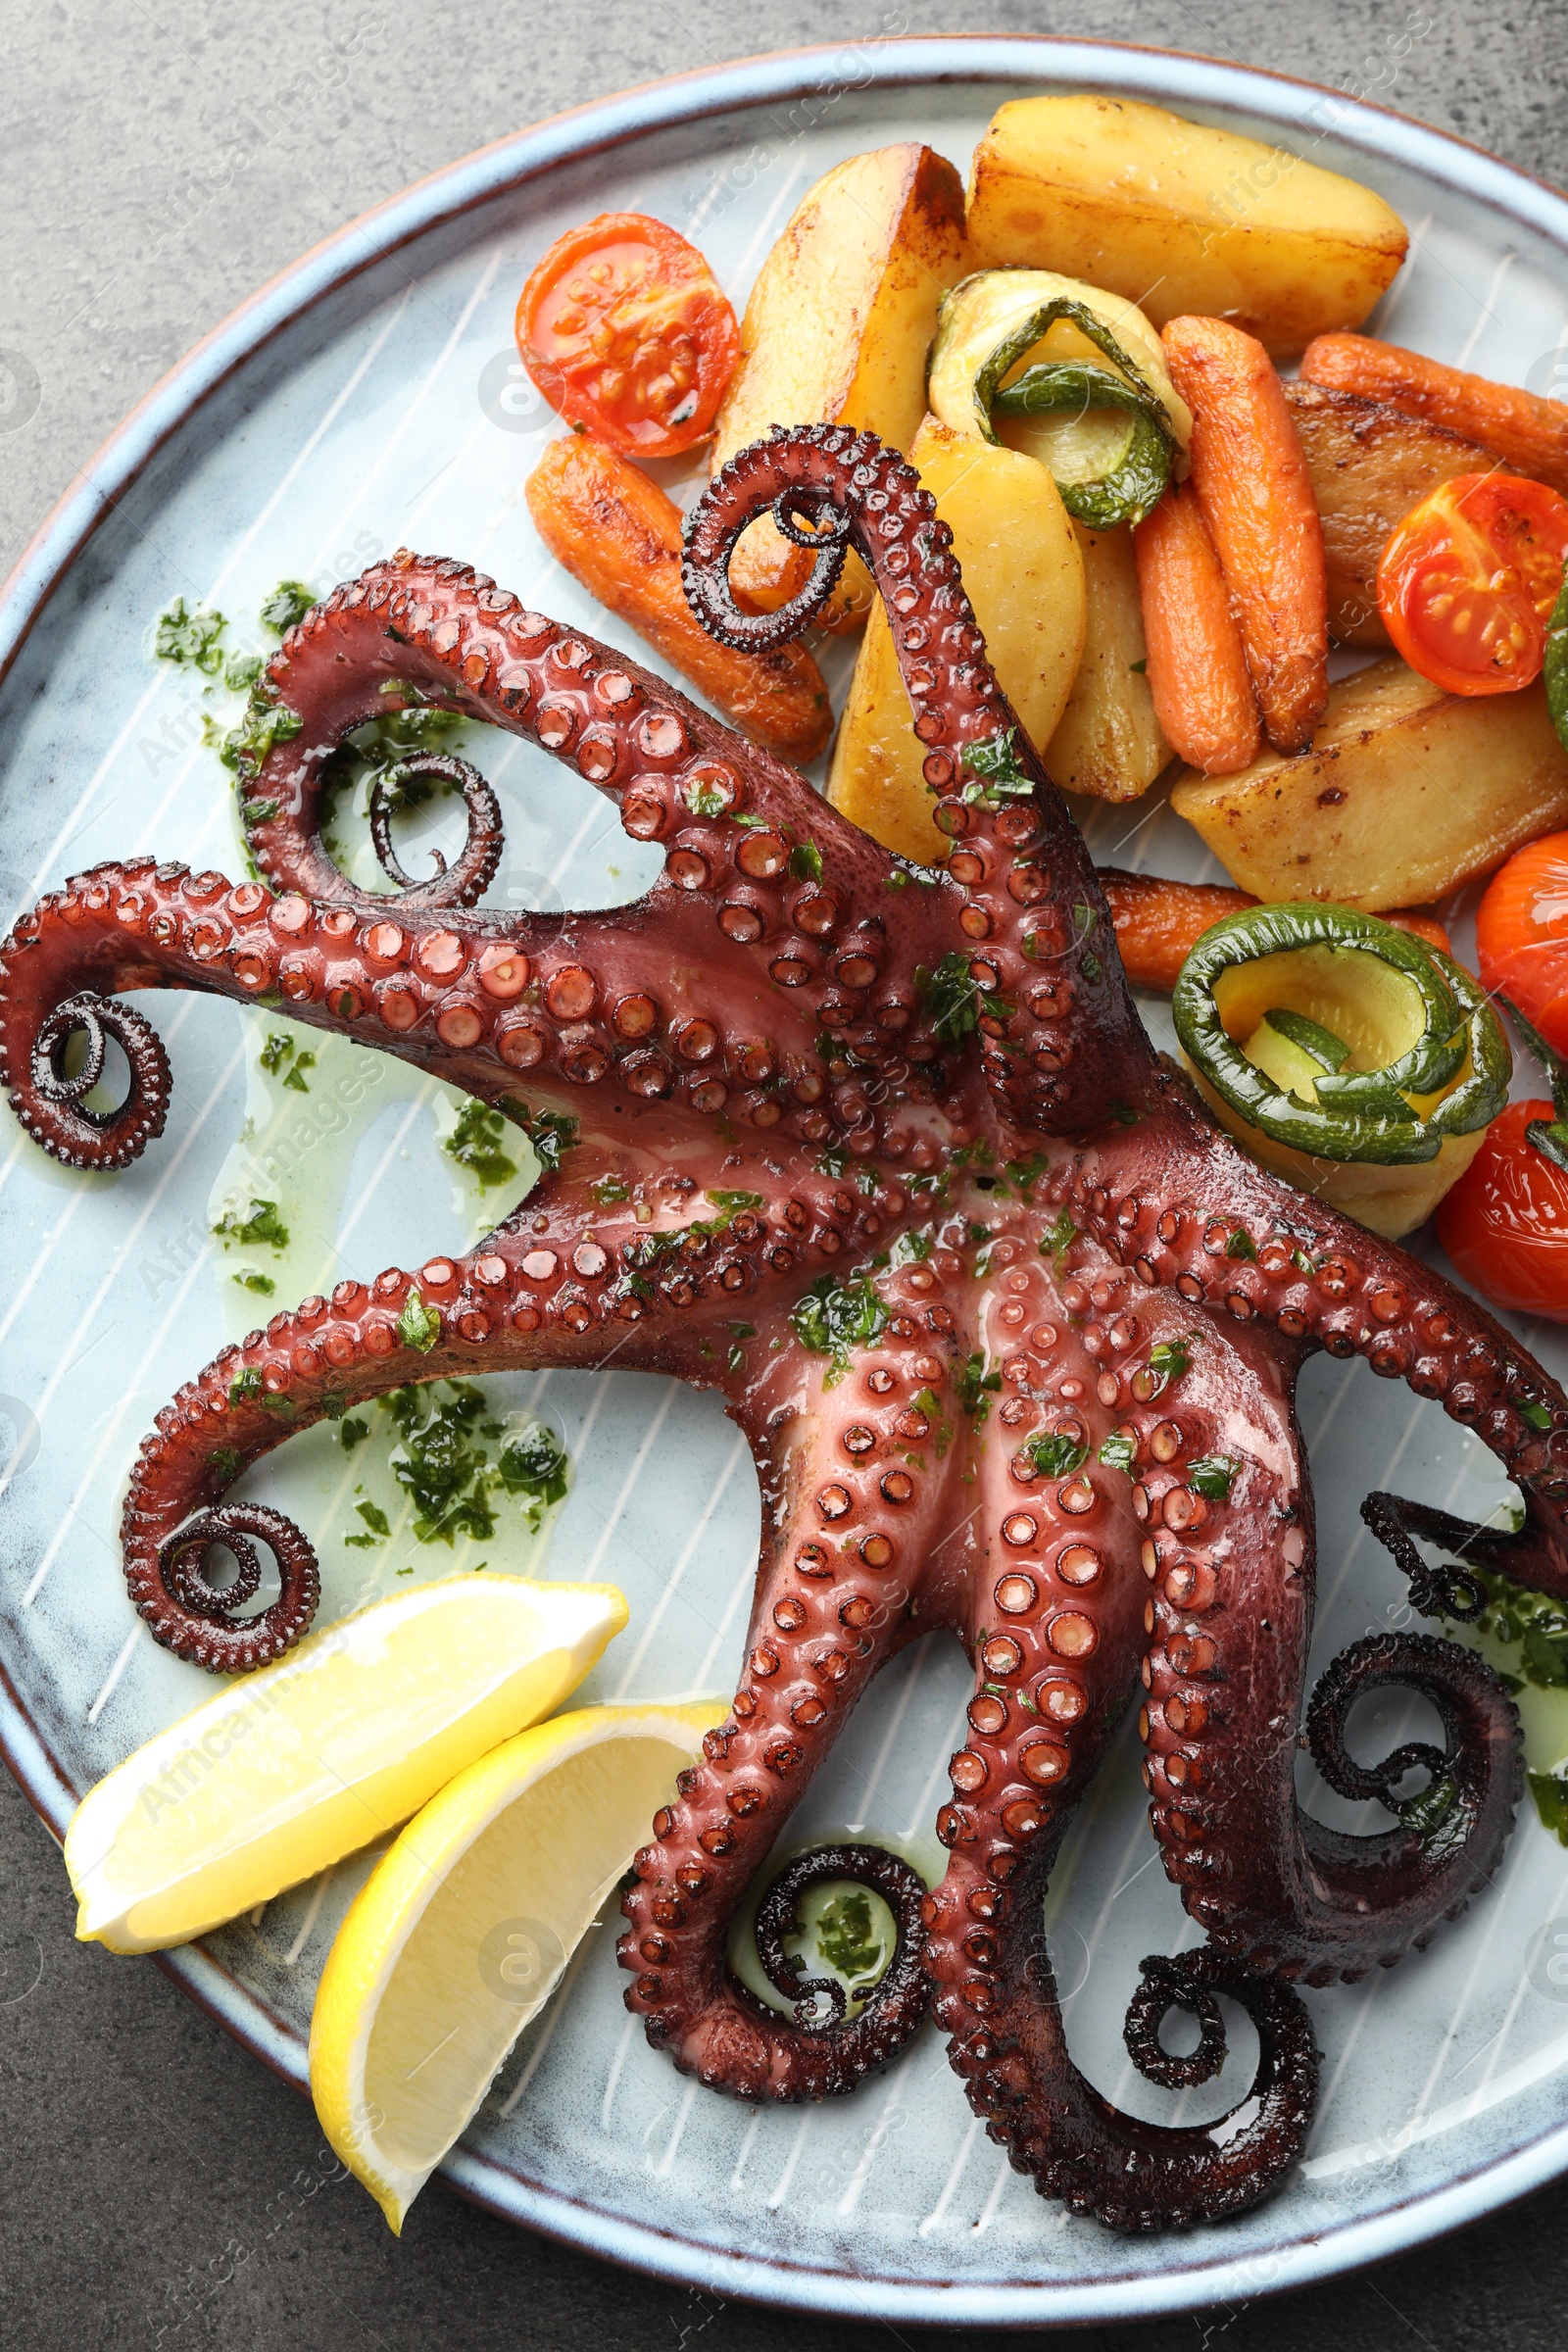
(622, 537)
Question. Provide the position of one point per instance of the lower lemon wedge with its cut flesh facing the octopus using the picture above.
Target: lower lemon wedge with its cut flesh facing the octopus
(464, 1930)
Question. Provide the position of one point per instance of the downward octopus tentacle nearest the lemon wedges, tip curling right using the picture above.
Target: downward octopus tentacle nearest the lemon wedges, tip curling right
(850, 1549)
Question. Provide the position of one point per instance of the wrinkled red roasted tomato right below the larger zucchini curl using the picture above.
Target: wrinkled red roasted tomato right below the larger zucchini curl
(1506, 1222)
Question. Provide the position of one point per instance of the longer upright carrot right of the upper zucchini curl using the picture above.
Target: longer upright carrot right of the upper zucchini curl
(1257, 495)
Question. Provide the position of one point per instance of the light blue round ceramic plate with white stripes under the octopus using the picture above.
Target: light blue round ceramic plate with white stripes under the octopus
(370, 399)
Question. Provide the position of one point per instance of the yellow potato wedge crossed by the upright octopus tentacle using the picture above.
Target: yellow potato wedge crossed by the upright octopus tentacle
(1026, 582)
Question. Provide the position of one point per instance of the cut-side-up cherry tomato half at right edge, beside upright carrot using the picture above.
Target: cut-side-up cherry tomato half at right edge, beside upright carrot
(1470, 577)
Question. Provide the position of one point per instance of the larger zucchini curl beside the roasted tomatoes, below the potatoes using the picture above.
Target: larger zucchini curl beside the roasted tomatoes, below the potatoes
(1343, 1055)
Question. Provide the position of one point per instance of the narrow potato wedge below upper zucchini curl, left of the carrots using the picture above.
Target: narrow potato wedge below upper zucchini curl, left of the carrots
(1108, 740)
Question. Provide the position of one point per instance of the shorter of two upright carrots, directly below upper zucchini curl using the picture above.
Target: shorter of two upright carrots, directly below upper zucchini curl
(1195, 662)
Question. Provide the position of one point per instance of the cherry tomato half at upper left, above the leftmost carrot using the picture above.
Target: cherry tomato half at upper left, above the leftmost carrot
(626, 333)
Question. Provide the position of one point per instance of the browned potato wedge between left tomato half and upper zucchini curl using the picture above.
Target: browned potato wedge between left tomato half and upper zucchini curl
(838, 330)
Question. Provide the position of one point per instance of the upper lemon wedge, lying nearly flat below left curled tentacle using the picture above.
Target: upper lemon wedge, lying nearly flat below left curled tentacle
(300, 1763)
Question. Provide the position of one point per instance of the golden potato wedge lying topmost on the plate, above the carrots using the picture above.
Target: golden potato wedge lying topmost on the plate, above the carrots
(1179, 218)
